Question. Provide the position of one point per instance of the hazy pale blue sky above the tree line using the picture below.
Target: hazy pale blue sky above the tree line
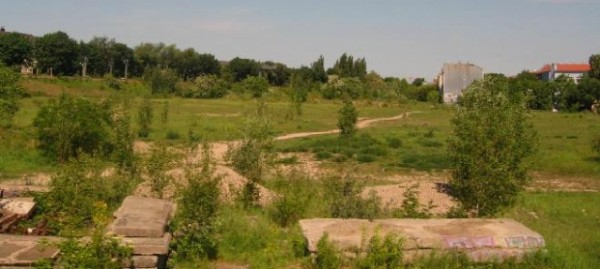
(402, 38)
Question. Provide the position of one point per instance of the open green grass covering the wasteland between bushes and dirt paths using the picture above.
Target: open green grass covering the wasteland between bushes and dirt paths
(569, 221)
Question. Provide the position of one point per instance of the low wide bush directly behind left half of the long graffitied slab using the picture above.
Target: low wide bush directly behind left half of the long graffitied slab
(344, 194)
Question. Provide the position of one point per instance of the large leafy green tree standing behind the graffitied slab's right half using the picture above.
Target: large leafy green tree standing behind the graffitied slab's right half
(489, 148)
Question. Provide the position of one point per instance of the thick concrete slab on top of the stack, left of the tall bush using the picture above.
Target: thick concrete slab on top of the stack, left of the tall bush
(142, 217)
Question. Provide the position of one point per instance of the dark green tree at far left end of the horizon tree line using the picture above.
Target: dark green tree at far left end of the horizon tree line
(14, 49)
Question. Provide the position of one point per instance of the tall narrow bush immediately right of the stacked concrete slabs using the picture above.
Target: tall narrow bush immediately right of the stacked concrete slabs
(194, 223)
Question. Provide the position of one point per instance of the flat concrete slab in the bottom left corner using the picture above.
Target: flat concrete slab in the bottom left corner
(25, 250)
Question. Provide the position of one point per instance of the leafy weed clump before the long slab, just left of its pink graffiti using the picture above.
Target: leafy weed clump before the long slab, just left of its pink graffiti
(382, 254)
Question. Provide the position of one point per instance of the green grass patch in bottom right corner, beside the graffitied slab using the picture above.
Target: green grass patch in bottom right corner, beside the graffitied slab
(569, 222)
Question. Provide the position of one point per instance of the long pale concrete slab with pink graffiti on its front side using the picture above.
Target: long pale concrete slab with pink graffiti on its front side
(480, 239)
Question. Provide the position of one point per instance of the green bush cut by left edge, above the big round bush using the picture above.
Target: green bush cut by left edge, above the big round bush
(10, 93)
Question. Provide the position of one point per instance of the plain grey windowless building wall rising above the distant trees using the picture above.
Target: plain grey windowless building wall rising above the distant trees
(455, 77)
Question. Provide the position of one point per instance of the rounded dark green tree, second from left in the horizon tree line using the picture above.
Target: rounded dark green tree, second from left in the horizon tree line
(57, 53)
